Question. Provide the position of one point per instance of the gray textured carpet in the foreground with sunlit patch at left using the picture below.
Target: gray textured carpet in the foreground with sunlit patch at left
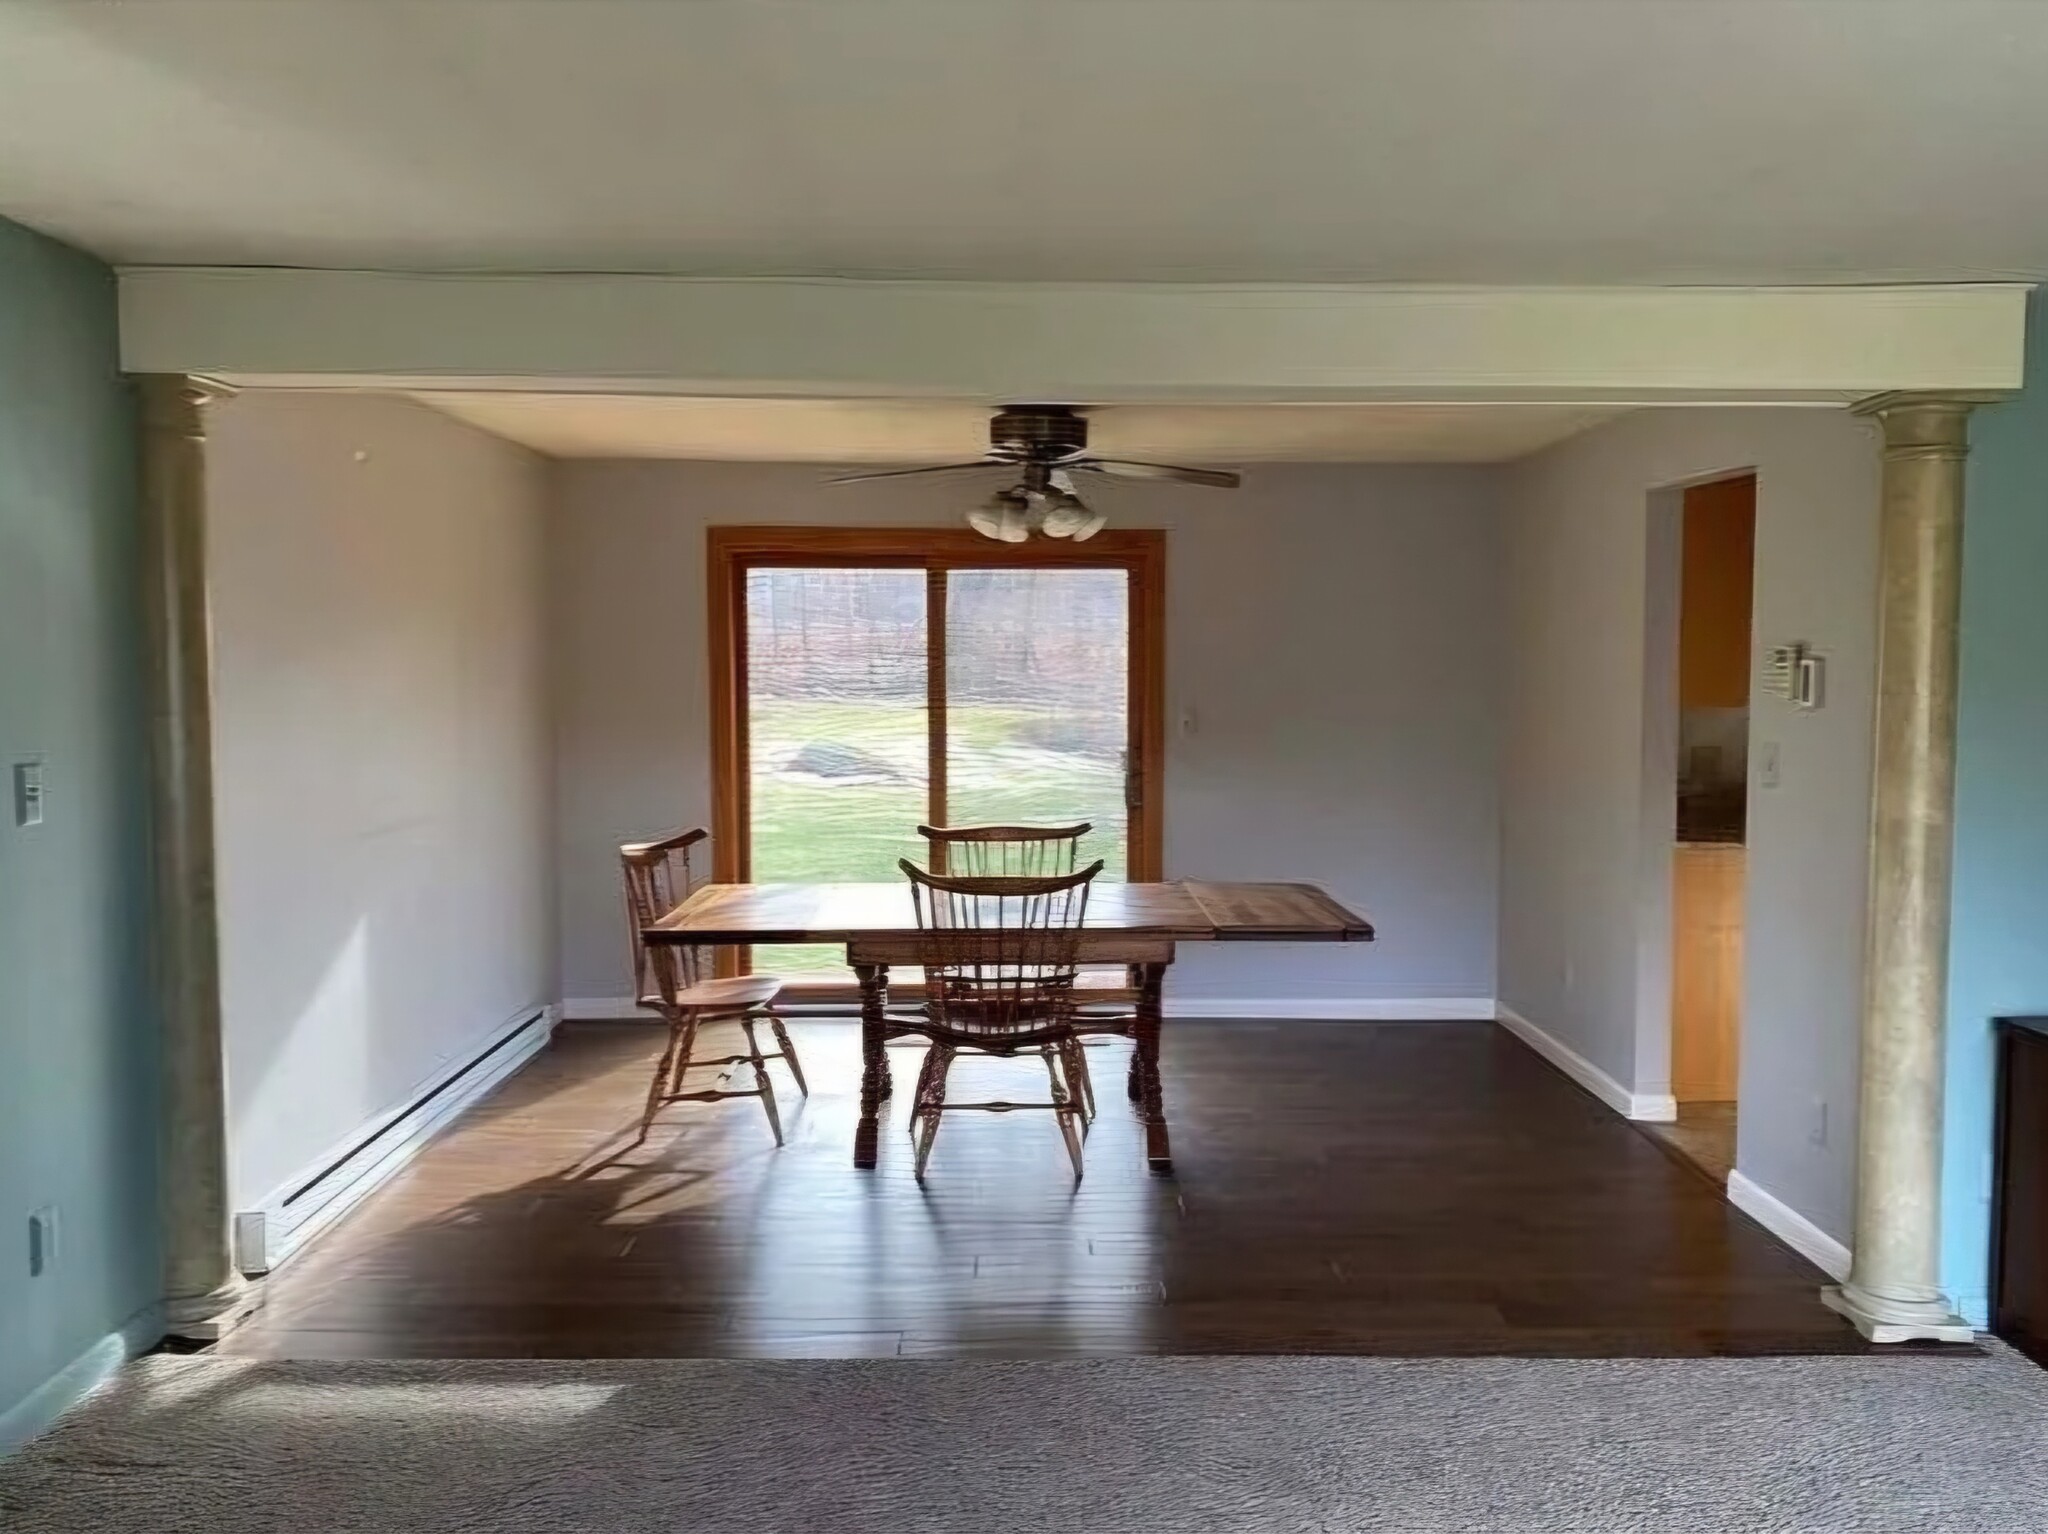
(1187, 1445)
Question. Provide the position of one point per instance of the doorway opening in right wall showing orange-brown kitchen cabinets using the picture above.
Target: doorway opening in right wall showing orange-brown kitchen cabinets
(1709, 859)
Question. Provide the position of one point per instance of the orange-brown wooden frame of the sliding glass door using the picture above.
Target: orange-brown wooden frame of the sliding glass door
(732, 552)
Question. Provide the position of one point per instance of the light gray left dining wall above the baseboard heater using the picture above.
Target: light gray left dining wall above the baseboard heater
(384, 777)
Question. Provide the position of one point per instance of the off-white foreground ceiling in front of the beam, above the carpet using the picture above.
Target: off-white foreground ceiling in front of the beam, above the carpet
(1265, 140)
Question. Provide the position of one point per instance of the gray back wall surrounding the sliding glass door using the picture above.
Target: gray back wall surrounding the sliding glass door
(1334, 630)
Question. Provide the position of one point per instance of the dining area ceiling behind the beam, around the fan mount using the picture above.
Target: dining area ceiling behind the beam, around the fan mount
(845, 431)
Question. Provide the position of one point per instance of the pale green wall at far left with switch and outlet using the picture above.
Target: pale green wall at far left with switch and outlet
(77, 1035)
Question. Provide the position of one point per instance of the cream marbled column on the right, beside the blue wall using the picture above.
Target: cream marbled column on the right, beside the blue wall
(1893, 1291)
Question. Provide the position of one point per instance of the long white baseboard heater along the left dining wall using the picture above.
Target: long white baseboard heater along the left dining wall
(353, 1170)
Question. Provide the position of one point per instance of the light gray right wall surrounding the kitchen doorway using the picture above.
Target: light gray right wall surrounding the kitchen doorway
(1580, 857)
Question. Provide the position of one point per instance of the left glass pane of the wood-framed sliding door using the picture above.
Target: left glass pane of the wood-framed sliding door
(837, 732)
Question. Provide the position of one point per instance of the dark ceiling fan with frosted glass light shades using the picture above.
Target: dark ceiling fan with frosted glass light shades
(1048, 445)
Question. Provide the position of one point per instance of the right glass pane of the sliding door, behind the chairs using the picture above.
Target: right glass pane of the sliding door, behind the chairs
(1037, 710)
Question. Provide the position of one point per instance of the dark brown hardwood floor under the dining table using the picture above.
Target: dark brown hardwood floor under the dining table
(1340, 1187)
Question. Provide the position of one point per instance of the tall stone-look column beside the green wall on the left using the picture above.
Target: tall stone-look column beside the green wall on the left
(204, 1295)
